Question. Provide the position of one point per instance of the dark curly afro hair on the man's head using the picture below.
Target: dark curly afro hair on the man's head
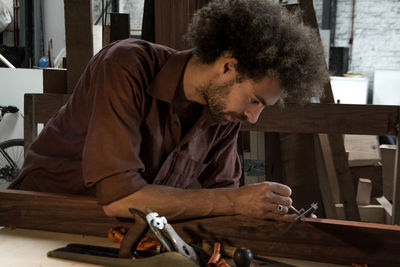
(266, 40)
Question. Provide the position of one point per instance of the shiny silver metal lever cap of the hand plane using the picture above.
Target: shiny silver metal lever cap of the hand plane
(168, 237)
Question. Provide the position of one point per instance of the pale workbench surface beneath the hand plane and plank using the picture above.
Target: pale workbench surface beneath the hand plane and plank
(22, 247)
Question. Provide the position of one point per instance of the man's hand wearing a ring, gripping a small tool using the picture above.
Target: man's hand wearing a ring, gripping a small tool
(262, 201)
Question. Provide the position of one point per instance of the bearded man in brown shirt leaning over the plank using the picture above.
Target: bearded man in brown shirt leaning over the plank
(145, 121)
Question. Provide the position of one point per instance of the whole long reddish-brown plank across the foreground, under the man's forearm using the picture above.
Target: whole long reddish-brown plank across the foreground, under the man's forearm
(324, 240)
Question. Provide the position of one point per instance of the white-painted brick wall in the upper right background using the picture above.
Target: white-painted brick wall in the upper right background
(376, 33)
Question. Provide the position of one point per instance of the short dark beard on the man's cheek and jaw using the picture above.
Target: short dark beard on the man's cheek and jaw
(215, 96)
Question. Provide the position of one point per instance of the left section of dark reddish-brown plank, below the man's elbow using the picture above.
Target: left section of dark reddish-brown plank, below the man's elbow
(53, 212)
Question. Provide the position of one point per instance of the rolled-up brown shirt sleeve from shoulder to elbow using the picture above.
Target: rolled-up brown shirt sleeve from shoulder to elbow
(110, 158)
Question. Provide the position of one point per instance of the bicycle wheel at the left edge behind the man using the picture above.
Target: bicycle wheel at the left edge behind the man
(11, 160)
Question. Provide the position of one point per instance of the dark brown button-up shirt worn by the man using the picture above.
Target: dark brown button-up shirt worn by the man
(120, 131)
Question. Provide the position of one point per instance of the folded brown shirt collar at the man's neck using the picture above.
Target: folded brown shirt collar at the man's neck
(166, 82)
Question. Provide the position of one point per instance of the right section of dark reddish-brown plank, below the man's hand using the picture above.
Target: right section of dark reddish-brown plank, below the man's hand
(324, 240)
